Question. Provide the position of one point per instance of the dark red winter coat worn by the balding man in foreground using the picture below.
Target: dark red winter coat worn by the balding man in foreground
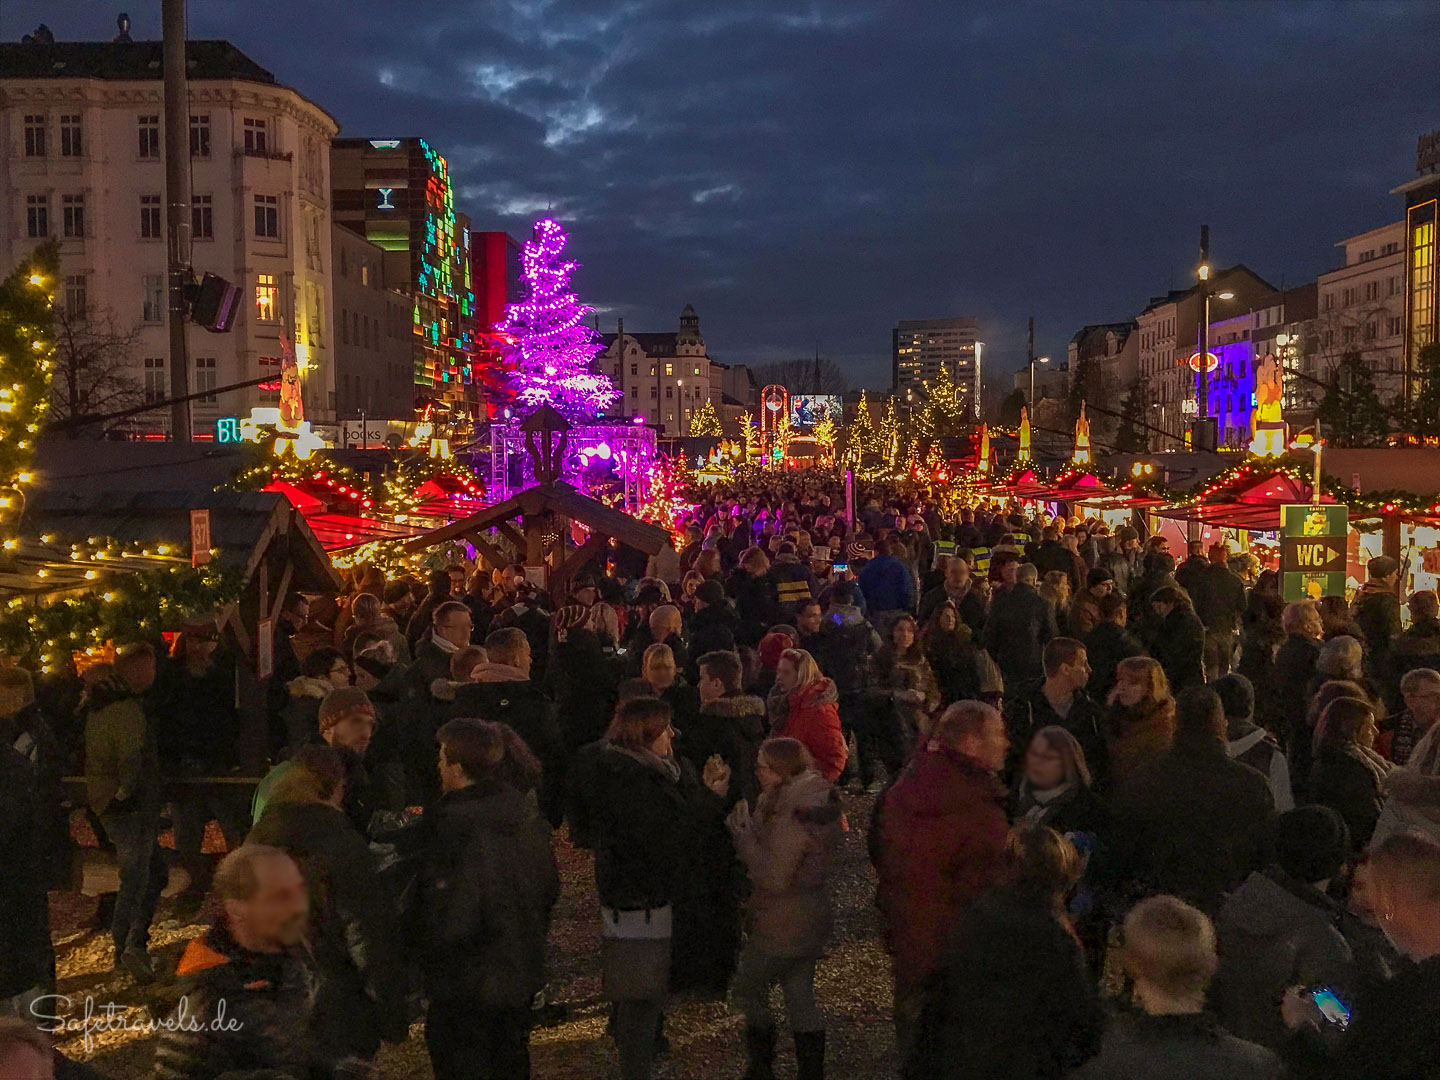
(938, 845)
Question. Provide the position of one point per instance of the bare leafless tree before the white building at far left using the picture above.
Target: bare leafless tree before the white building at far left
(94, 366)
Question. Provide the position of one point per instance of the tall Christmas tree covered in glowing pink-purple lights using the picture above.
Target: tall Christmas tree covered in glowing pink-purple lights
(552, 349)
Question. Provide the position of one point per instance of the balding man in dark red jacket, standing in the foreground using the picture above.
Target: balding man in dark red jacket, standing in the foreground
(938, 843)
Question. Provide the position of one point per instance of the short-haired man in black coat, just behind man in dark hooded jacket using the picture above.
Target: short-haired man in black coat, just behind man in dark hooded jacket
(502, 692)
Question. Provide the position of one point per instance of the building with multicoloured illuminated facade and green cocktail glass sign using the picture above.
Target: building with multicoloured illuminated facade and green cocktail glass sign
(397, 194)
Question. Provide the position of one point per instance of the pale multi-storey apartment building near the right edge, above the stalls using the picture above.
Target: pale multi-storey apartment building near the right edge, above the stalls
(1362, 309)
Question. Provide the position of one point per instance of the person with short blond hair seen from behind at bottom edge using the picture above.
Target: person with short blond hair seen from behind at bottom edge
(1170, 953)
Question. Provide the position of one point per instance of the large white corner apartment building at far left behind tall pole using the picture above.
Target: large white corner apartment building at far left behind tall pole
(83, 127)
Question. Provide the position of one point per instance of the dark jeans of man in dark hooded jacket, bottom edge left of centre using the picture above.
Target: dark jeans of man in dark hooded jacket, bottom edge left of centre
(473, 1042)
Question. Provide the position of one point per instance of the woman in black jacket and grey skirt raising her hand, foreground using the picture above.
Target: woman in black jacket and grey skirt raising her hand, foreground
(640, 809)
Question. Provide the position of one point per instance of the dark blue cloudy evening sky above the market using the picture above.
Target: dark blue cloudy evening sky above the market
(809, 174)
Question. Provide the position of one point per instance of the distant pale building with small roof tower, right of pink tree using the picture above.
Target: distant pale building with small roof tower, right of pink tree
(662, 378)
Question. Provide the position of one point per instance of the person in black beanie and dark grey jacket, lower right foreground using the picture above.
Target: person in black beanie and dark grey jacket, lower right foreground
(1281, 930)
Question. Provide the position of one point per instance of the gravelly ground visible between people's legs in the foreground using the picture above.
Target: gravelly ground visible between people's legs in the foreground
(706, 1038)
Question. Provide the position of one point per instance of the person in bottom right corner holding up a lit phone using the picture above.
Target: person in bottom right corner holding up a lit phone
(1395, 1030)
